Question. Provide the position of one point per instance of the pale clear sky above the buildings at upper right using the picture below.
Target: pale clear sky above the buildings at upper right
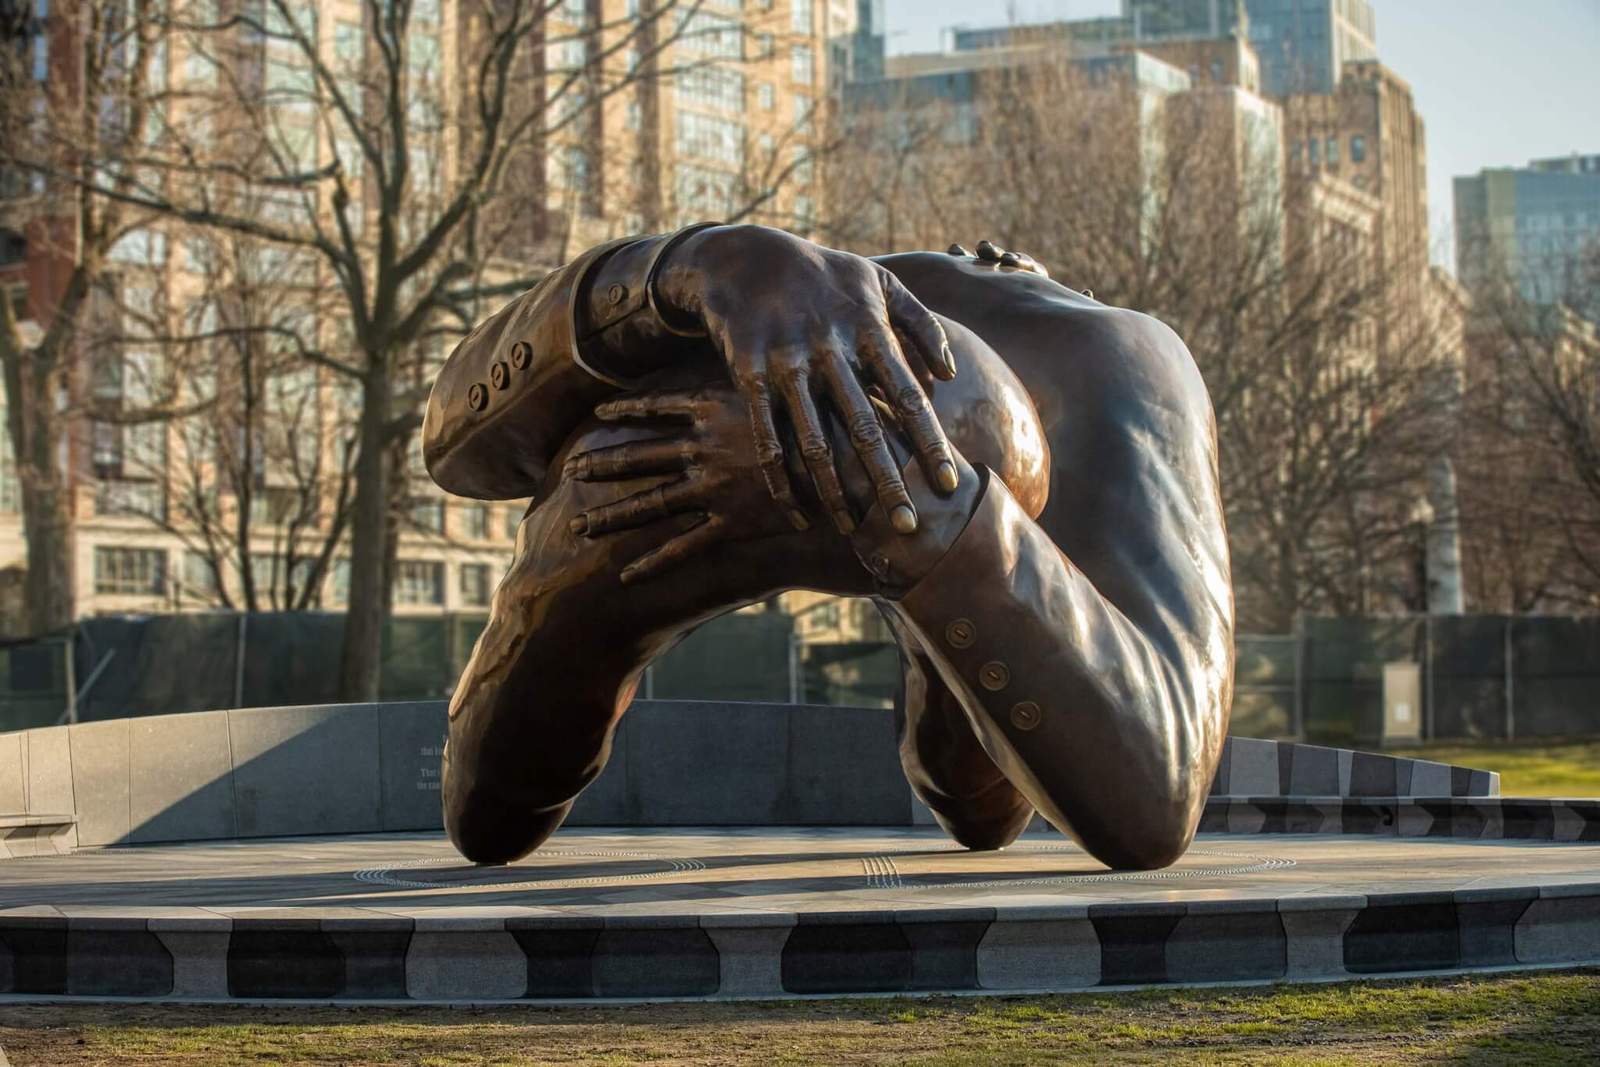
(1498, 82)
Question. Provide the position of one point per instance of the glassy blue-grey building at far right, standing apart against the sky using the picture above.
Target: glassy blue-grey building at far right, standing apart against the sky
(1532, 226)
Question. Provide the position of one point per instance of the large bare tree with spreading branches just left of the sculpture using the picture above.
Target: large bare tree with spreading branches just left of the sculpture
(406, 159)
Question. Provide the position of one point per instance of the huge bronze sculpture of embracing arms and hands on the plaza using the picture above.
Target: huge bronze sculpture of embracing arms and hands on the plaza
(1042, 529)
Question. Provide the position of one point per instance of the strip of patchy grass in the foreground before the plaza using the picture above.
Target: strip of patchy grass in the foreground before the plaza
(1487, 1020)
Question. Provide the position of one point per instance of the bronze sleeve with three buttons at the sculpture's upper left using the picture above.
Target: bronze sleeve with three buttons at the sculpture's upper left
(518, 386)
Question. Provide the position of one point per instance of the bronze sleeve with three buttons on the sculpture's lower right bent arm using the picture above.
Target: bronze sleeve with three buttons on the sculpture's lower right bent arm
(1111, 730)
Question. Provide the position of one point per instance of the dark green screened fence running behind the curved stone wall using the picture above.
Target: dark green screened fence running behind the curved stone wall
(1482, 677)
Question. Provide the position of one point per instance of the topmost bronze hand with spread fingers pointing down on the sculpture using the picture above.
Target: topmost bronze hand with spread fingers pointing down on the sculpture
(806, 330)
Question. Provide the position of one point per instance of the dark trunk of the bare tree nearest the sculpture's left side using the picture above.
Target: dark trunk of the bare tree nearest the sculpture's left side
(370, 526)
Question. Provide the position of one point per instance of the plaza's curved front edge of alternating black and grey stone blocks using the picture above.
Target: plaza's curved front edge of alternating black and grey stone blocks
(508, 954)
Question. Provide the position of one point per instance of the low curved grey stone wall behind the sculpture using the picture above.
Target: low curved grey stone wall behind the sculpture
(366, 769)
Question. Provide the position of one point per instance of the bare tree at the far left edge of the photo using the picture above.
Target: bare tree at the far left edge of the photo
(68, 143)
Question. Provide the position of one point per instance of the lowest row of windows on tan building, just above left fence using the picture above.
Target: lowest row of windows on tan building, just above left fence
(127, 572)
